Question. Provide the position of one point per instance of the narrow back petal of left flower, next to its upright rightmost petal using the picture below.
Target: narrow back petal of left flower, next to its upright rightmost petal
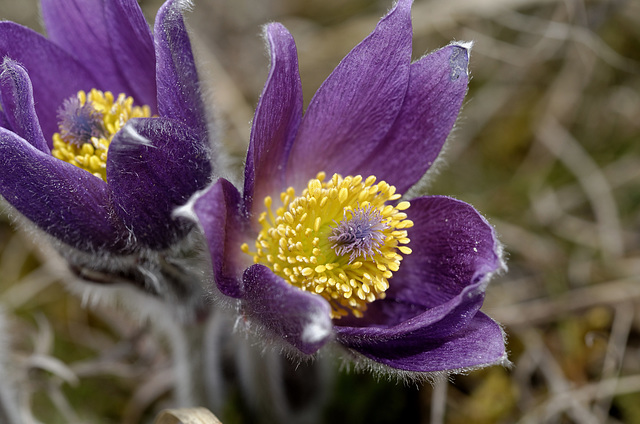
(132, 46)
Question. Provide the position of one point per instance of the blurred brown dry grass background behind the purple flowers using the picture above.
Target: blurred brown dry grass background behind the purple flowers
(547, 148)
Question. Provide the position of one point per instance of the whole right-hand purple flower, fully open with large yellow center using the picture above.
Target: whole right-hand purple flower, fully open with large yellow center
(319, 247)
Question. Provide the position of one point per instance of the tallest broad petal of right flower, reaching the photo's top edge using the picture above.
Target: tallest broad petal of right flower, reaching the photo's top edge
(358, 103)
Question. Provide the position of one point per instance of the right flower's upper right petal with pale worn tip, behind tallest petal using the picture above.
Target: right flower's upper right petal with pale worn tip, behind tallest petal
(437, 86)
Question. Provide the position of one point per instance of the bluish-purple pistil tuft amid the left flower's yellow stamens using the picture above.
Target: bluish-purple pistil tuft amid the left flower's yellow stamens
(79, 122)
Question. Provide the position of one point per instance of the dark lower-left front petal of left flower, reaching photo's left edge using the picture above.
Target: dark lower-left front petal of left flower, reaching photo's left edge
(63, 200)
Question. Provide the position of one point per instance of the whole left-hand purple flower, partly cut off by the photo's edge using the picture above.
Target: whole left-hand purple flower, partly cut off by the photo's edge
(102, 127)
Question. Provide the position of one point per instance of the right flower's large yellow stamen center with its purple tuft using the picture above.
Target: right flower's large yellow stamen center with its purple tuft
(338, 239)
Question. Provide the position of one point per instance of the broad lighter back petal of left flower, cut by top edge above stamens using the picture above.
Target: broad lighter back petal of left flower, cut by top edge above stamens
(80, 28)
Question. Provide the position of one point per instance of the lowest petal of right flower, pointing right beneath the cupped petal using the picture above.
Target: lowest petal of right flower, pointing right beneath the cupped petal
(480, 343)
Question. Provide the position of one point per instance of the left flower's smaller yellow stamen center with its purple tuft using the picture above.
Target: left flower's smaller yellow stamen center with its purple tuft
(87, 124)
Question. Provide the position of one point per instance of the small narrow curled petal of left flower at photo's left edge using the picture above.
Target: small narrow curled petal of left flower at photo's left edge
(16, 97)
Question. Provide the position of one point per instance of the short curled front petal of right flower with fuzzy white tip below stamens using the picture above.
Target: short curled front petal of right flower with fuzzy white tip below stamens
(301, 318)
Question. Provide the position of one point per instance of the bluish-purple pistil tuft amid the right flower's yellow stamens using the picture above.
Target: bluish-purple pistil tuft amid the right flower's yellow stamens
(359, 235)
